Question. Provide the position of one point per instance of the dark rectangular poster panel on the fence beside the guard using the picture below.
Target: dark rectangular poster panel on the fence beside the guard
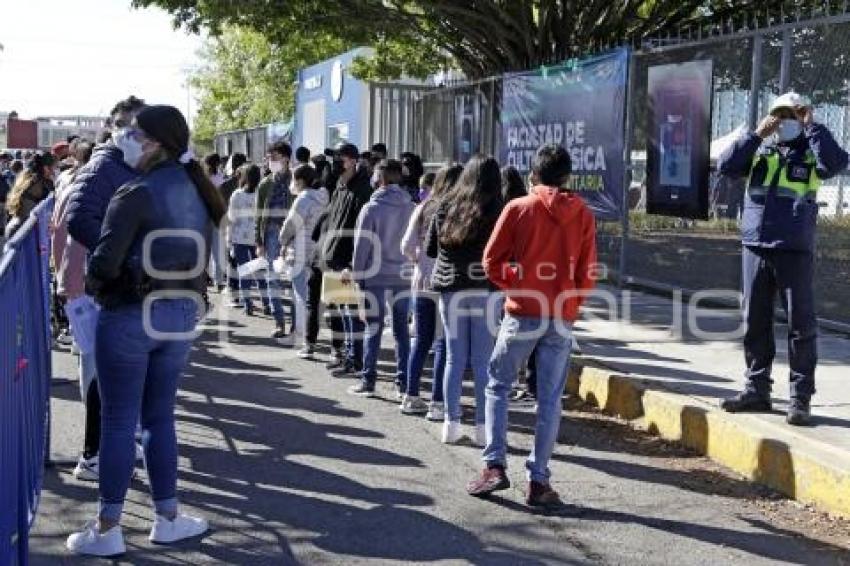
(679, 128)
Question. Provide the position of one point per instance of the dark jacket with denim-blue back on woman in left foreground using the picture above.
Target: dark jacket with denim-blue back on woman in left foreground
(163, 199)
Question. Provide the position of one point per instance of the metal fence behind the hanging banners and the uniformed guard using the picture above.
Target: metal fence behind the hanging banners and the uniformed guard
(754, 61)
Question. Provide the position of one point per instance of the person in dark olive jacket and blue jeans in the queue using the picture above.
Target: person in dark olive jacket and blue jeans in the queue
(273, 202)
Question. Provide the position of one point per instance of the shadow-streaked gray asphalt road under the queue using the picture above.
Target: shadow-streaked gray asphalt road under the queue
(289, 469)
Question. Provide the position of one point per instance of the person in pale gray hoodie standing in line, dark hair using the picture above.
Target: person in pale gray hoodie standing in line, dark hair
(297, 237)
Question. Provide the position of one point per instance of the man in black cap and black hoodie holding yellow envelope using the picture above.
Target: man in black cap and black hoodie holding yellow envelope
(352, 192)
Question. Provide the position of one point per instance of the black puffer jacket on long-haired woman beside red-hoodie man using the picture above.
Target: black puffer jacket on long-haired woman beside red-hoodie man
(459, 268)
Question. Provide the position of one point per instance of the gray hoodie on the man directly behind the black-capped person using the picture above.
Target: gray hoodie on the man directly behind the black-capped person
(386, 217)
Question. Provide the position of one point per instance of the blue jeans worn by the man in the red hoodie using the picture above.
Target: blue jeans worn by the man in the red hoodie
(518, 337)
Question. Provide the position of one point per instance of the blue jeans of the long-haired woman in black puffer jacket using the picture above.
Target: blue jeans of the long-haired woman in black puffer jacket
(469, 320)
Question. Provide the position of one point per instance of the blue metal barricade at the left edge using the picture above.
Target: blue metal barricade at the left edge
(25, 372)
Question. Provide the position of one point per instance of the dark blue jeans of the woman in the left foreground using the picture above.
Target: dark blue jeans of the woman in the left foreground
(138, 373)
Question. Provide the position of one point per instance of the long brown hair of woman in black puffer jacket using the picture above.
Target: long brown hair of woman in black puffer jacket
(474, 204)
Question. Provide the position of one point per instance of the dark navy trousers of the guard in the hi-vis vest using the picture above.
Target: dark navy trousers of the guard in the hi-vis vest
(790, 273)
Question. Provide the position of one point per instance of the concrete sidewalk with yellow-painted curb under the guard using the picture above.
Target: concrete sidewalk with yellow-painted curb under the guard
(657, 348)
